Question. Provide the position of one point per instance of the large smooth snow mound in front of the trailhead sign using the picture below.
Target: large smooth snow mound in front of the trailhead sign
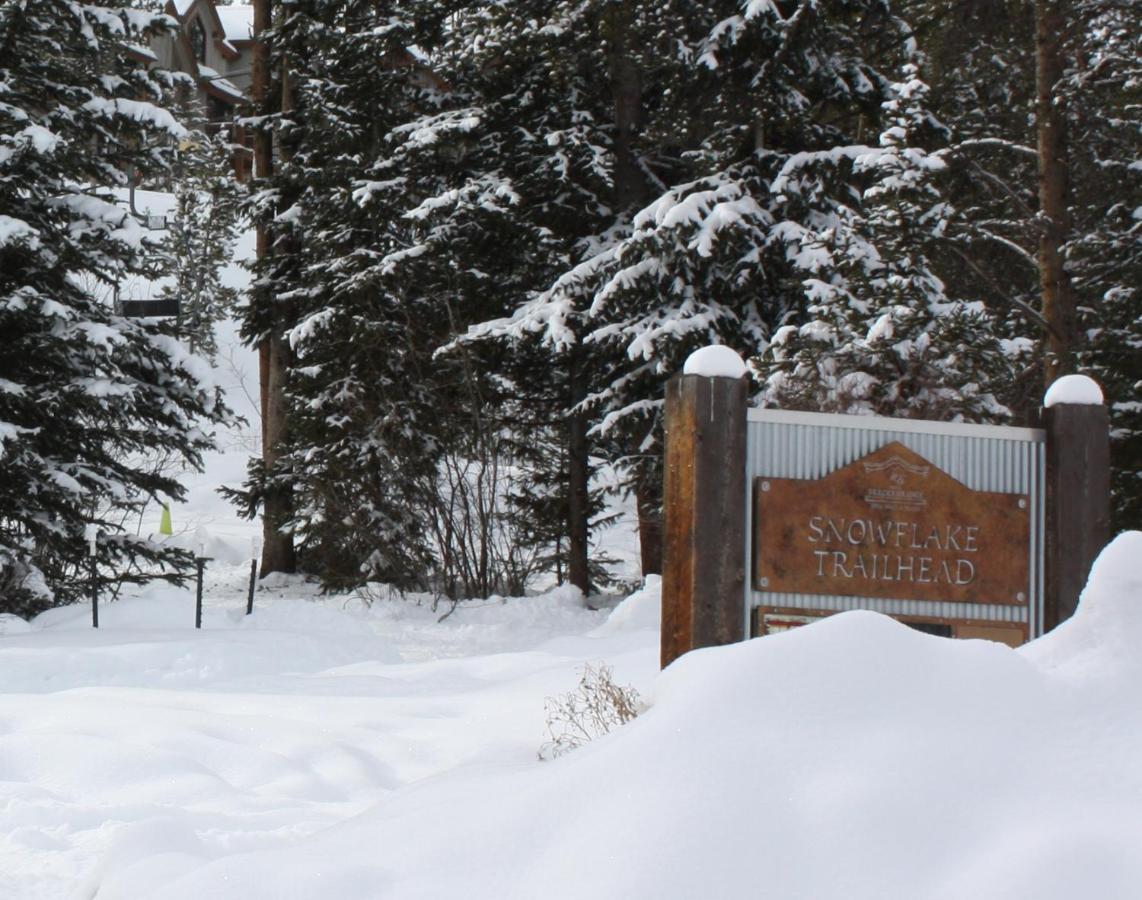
(851, 759)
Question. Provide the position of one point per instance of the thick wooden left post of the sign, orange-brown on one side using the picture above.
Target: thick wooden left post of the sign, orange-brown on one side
(704, 568)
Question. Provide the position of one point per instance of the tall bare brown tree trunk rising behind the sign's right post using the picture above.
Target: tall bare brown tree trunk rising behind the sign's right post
(1058, 301)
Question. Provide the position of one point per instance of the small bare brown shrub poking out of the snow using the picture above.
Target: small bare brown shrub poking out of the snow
(591, 711)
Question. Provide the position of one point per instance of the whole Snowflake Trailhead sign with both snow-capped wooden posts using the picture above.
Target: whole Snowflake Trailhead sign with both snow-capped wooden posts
(777, 519)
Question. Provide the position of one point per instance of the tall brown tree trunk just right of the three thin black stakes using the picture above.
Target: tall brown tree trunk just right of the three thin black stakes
(278, 548)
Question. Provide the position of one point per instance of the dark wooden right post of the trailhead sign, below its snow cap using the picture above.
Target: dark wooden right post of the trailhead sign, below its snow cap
(1079, 501)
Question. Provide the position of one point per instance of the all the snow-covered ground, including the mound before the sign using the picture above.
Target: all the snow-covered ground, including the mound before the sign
(333, 749)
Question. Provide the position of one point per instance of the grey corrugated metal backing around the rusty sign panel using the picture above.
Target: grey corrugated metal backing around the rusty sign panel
(784, 445)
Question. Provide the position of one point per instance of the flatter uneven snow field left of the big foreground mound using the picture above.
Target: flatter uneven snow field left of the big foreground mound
(148, 751)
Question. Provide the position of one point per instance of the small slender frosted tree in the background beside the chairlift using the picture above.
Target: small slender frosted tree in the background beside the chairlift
(202, 237)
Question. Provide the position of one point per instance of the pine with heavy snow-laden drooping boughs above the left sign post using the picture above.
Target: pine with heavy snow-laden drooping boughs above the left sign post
(741, 90)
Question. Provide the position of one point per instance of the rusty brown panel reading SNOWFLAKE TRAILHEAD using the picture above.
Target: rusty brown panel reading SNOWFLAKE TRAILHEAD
(891, 525)
